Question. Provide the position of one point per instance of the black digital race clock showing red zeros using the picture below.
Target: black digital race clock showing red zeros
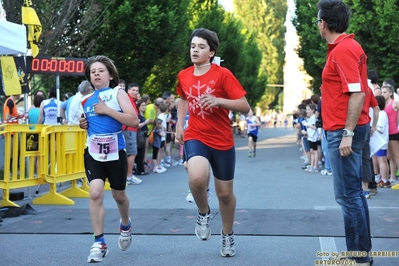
(56, 65)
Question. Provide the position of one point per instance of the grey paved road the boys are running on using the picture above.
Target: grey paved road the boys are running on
(284, 217)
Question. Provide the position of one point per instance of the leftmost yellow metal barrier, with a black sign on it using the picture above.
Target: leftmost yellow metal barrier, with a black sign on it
(23, 145)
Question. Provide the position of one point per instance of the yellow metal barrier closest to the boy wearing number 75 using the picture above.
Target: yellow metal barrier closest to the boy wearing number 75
(62, 157)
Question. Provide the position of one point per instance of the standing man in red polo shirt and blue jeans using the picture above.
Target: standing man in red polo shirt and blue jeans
(346, 121)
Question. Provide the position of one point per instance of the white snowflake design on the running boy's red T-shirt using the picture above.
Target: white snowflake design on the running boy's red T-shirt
(193, 97)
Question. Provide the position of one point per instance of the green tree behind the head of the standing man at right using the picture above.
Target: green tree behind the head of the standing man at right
(374, 23)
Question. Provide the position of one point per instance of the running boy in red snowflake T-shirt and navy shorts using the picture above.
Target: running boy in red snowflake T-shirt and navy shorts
(208, 92)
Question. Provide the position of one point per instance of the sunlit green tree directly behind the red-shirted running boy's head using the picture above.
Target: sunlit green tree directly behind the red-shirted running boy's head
(238, 49)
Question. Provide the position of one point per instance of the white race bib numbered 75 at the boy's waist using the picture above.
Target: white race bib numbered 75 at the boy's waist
(104, 147)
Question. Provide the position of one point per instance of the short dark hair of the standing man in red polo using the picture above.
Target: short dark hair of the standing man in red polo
(336, 14)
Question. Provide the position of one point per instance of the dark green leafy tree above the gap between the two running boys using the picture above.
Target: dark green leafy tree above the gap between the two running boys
(138, 34)
